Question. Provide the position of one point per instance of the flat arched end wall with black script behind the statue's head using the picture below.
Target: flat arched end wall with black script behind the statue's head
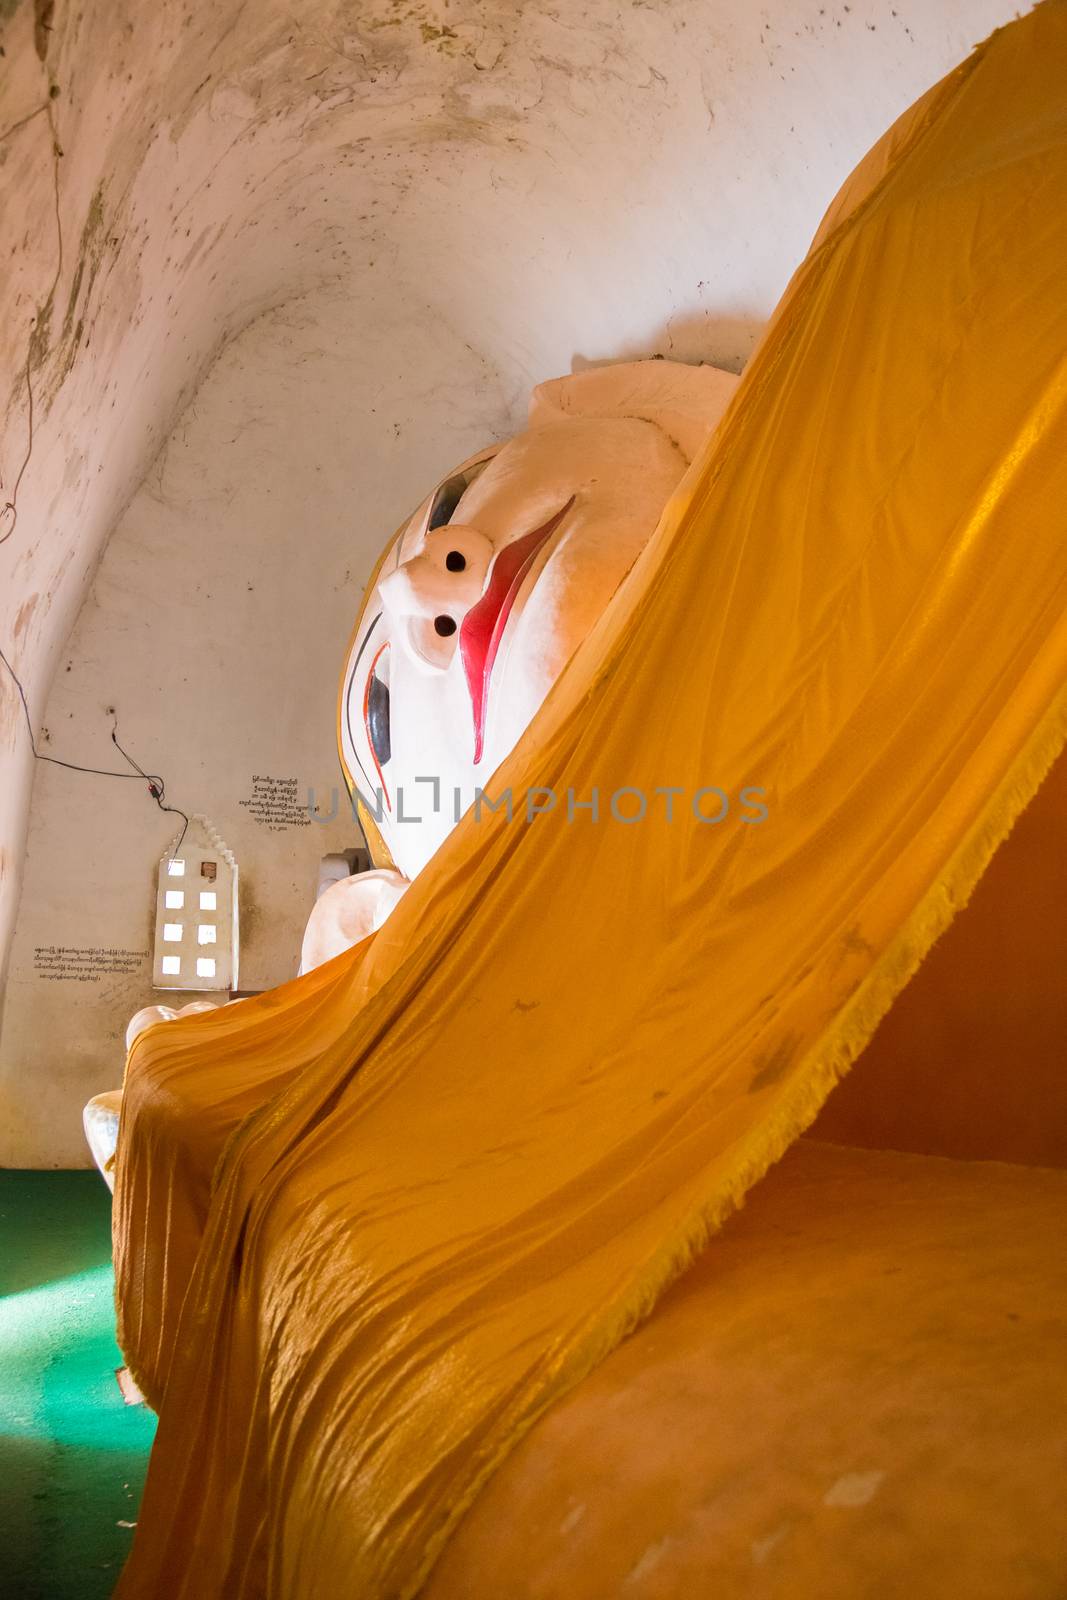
(217, 628)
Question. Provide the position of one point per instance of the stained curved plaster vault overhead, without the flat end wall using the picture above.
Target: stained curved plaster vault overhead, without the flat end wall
(479, 191)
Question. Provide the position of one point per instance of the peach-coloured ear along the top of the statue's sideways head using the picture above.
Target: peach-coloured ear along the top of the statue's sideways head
(685, 402)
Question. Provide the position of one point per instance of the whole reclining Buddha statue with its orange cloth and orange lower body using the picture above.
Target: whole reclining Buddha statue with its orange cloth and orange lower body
(431, 1260)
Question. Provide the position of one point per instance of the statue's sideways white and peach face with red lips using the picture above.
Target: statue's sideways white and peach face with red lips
(489, 590)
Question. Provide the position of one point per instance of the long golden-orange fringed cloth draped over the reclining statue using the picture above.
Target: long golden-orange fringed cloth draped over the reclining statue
(490, 1137)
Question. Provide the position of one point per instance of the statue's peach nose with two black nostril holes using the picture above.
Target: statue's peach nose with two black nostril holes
(430, 596)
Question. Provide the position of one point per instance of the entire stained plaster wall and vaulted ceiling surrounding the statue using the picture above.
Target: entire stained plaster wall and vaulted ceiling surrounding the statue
(414, 210)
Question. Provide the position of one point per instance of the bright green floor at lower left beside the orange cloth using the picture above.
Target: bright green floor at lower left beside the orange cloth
(73, 1457)
